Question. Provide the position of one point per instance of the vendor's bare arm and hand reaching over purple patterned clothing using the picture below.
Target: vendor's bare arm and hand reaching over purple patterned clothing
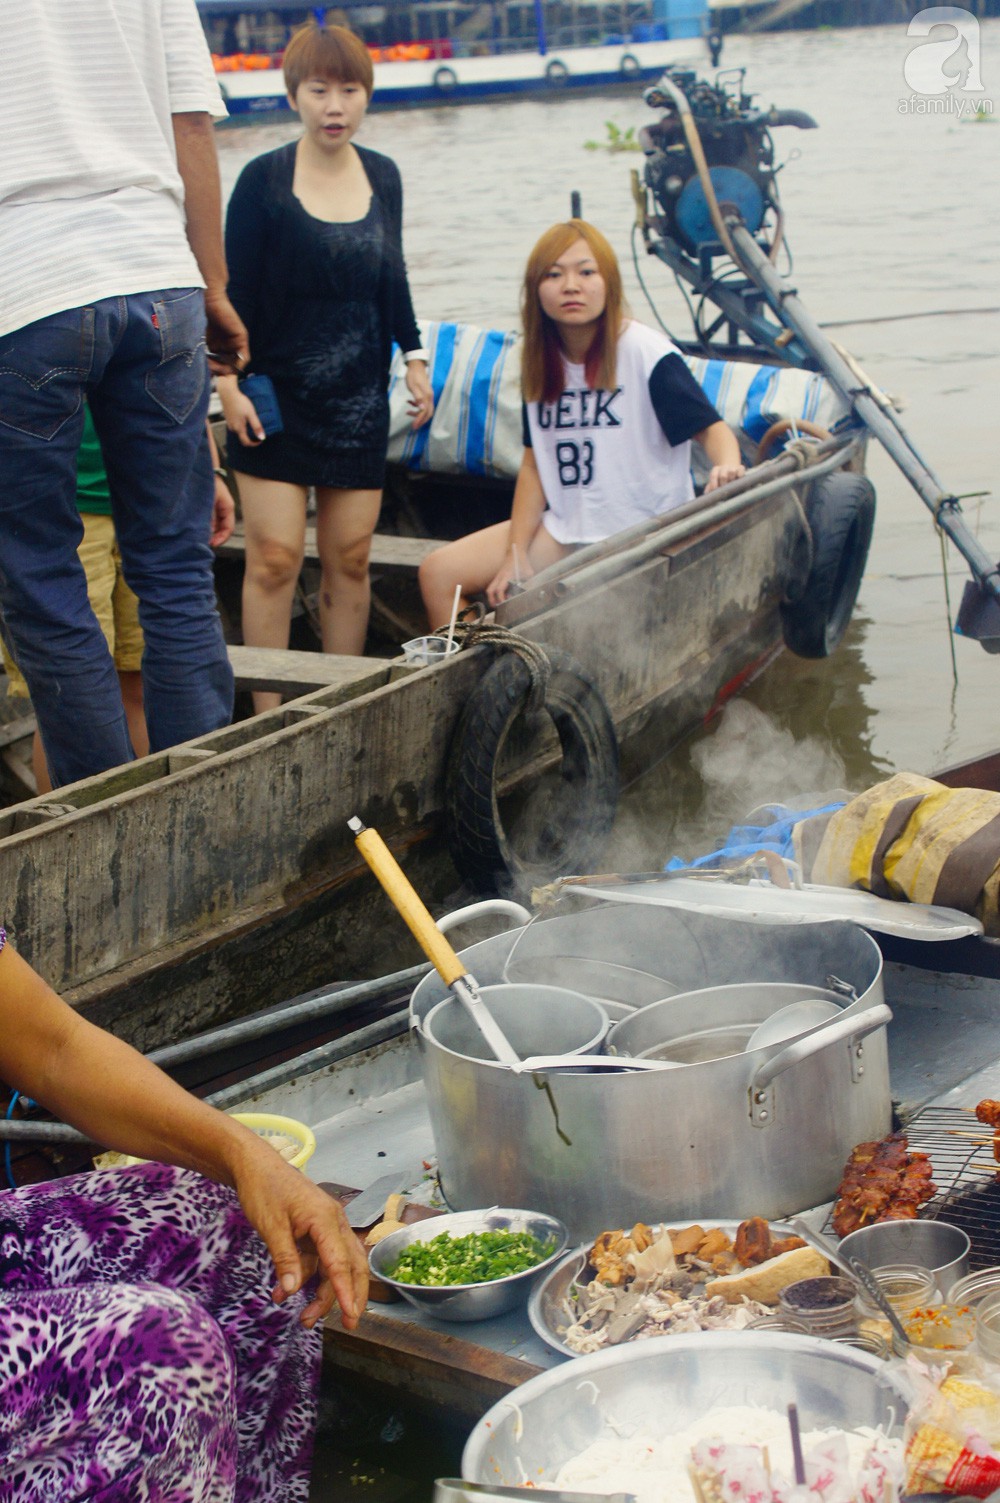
(112, 1093)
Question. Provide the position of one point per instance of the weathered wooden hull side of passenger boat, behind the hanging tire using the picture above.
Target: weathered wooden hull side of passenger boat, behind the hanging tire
(219, 879)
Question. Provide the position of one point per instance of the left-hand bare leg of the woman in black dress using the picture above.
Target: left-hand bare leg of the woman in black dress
(274, 519)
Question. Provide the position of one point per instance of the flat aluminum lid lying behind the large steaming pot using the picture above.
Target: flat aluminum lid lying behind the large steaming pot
(796, 906)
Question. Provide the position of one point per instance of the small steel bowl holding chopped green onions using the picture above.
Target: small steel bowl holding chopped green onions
(470, 1301)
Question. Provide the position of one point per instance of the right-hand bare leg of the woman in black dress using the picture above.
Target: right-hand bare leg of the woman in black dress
(345, 522)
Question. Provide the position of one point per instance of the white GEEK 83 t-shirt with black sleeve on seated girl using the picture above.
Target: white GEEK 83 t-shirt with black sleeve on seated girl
(610, 459)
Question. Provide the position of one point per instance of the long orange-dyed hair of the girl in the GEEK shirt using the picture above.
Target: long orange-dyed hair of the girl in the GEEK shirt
(542, 361)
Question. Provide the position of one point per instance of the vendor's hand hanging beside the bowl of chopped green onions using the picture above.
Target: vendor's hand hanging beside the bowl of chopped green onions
(306, 1232)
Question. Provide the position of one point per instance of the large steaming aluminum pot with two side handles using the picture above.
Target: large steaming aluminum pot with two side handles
(766, 1136)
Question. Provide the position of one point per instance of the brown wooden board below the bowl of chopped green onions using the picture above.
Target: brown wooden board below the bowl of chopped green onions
(426, 1365)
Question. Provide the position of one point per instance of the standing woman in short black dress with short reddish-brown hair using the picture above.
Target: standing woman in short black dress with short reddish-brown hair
(315, 247)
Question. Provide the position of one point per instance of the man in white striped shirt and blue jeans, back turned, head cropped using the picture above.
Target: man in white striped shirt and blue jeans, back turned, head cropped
(112, 274)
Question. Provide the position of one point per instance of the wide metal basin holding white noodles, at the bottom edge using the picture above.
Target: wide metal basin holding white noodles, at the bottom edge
(664, 1387)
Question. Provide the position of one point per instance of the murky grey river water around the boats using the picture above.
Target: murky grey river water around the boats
(888, 214)
